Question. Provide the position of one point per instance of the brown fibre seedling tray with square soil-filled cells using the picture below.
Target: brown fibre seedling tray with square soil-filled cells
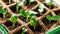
(43, 24)
